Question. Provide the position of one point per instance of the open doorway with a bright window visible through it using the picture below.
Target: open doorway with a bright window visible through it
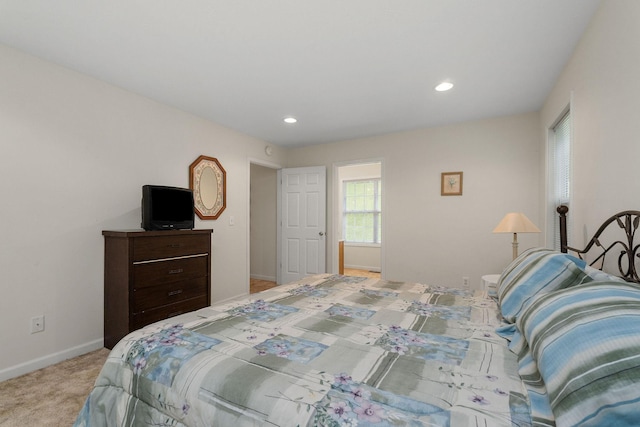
(360, 184)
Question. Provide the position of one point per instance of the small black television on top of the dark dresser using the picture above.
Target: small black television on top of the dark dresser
(167, 208)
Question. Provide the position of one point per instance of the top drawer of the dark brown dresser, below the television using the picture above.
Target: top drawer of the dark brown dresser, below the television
(158, 247)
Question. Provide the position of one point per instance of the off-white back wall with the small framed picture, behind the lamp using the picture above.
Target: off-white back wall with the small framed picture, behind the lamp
(436, 239)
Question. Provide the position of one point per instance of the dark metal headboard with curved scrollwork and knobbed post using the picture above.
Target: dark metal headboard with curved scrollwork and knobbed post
(628, 221)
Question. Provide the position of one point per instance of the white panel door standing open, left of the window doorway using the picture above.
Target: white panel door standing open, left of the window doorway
(302, 211)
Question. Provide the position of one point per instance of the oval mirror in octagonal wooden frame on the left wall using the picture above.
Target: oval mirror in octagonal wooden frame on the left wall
(208, 181)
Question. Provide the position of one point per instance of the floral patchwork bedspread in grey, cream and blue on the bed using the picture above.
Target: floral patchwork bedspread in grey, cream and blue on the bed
(328, 350)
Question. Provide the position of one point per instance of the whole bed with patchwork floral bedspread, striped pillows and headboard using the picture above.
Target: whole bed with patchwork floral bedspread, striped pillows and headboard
(557, 345)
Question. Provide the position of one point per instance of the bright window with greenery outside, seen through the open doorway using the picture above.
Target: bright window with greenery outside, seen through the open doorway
(362, 211)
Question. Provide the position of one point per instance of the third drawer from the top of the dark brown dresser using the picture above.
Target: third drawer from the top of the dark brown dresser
(155, 296)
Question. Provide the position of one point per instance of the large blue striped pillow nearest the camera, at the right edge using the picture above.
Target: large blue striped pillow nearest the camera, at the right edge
(585, 341)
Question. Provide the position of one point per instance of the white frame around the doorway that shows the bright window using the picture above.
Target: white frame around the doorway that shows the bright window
(335, 212)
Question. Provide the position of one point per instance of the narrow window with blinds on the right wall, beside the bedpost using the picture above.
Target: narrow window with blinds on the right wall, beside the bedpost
(560, 172)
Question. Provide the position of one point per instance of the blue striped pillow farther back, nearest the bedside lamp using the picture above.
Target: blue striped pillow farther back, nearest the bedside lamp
(535, 272)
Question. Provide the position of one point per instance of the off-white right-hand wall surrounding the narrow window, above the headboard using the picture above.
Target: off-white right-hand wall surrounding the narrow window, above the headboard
(602, 76)
